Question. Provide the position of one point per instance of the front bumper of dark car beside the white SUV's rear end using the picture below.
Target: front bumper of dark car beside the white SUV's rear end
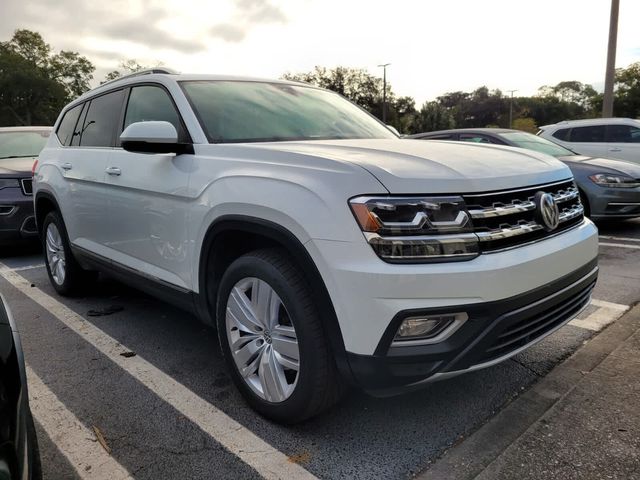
(17, 220)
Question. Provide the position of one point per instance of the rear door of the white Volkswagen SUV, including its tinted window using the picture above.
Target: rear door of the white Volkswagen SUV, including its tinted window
(83, 164)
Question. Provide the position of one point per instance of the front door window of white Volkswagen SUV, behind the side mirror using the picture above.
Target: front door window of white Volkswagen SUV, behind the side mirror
(149, 103)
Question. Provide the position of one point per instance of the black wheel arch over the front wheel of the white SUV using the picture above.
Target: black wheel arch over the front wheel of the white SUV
(233, 235)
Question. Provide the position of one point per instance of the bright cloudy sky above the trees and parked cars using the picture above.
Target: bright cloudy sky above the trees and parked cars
(433, 46)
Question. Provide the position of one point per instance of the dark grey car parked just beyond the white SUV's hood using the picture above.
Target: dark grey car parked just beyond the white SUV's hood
(608, 188)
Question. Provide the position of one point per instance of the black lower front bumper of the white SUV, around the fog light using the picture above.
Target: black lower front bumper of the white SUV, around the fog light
(494, 332)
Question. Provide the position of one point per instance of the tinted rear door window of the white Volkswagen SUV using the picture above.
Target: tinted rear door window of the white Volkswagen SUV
(102, 117)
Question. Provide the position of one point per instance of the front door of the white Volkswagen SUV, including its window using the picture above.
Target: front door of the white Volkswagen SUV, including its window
(148, 199)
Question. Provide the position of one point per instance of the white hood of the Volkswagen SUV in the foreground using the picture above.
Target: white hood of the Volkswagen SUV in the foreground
(415, 166)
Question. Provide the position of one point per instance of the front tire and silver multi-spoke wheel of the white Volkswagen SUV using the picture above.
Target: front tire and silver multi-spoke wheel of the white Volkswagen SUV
(271, 385)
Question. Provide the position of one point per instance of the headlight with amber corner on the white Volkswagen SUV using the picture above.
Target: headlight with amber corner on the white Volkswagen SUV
(416, 229)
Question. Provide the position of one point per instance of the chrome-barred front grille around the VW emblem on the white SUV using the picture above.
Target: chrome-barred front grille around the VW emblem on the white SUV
(507, 219)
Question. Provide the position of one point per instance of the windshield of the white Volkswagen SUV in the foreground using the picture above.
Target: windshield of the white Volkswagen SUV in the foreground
(236, 111)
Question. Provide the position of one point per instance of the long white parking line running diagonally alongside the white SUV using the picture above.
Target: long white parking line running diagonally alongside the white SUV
(255, 452)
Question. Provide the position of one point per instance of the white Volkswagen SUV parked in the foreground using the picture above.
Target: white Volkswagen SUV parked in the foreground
(324, 249)
